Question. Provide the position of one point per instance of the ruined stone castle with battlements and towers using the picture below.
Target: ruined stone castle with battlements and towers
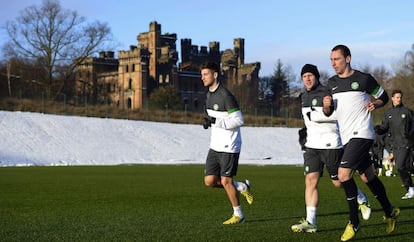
(126, 82)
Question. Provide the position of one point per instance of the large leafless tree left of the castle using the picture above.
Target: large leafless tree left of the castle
(54, 37)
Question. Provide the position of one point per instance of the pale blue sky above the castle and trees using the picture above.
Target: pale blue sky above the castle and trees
(297, 32)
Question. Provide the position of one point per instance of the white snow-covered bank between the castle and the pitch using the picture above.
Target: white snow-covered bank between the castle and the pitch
(29, 139)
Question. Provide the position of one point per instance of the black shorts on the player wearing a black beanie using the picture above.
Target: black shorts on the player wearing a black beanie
(316, 159)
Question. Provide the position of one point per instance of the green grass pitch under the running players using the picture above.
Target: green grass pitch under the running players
(171, 203)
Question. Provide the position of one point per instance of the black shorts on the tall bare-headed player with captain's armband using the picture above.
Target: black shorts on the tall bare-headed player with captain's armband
(356, 154)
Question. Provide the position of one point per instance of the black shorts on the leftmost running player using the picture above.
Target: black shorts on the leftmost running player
(221, 163)
